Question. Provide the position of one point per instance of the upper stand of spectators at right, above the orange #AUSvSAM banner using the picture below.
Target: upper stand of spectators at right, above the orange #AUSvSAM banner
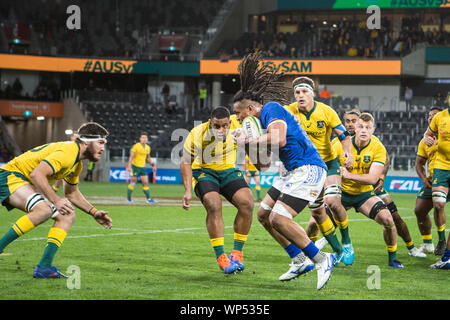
(342, 38)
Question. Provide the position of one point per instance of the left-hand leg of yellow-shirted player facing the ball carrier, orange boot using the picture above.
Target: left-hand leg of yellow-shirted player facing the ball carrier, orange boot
(208, 193)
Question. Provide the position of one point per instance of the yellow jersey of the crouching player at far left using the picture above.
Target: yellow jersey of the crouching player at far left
(63, 157)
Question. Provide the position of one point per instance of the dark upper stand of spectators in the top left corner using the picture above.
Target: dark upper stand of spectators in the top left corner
(127, 28)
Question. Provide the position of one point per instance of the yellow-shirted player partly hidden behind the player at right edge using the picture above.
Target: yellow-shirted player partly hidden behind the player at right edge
(424, 202)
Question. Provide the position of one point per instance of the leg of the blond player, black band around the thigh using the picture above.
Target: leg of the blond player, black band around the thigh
(375, 209)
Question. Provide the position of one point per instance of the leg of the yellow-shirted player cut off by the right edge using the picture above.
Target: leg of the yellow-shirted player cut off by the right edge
(439, 192)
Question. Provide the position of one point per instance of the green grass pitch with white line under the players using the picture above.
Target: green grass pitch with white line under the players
(162, 252)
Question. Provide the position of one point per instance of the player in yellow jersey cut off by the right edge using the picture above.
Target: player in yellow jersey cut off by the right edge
(439, 129)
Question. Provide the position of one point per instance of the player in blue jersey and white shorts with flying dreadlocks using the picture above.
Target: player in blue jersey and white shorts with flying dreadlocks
(305, 169)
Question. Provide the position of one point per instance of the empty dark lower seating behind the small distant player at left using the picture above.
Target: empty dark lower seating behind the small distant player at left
(137, 113)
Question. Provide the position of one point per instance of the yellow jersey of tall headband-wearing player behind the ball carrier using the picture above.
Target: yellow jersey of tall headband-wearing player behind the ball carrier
(318, 124)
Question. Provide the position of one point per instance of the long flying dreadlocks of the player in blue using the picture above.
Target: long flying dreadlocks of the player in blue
(261, 84)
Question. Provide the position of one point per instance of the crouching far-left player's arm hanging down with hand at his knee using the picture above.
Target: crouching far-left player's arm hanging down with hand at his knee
(39, 178)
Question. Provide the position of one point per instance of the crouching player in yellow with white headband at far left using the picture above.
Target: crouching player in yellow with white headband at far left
(25, 185)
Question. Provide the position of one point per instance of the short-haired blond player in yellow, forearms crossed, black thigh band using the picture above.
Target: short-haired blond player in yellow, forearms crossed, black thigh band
(358, 181)
